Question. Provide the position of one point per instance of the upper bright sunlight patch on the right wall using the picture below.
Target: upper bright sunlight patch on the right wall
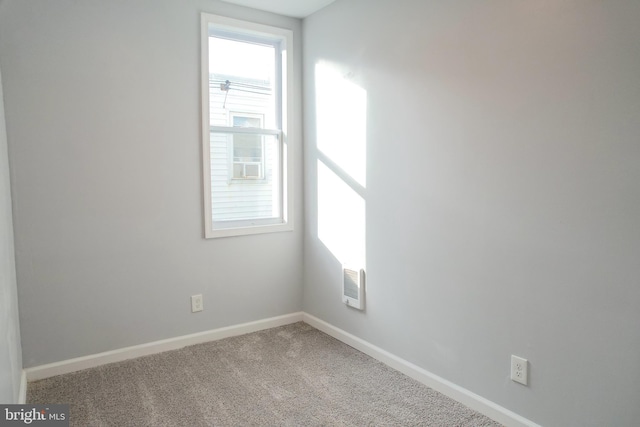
(341, 119)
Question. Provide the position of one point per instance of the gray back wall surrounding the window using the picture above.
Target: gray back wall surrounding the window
(102, 109)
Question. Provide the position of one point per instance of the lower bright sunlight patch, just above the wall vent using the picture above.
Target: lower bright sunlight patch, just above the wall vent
(341, 218)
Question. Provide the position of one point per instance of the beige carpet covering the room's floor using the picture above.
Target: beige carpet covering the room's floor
(293, 375)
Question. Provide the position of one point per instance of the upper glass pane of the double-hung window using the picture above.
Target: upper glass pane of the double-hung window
(242, 78)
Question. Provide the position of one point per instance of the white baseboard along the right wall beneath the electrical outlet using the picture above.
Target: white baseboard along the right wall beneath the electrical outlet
(462, 395)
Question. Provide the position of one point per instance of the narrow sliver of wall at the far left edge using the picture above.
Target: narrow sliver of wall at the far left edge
(10, 350)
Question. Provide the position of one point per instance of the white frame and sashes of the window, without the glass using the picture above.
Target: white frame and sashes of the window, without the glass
(285, 38)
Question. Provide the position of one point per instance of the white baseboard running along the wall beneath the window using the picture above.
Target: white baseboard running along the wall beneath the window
(91, 361)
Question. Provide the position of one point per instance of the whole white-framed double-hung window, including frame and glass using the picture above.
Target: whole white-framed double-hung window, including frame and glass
(246, 155)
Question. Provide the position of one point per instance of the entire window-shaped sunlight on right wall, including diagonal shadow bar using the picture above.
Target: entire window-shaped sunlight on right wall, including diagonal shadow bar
(341, 137)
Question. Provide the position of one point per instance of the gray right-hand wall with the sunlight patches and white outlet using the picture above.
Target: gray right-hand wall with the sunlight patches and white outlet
(502, 194)
